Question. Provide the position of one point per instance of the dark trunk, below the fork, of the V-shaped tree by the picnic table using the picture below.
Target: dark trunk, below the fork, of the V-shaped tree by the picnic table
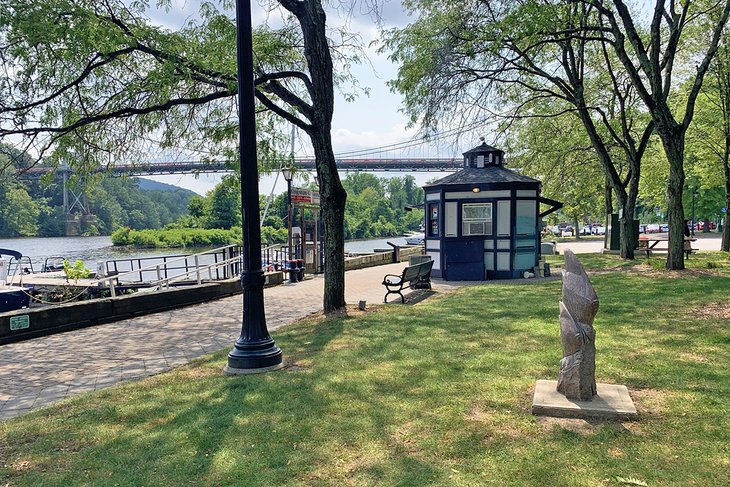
(673, 141)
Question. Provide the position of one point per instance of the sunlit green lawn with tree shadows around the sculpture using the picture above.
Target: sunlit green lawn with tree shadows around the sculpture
(436, 393)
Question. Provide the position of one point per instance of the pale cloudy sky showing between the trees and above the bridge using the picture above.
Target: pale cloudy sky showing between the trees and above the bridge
(370, 121)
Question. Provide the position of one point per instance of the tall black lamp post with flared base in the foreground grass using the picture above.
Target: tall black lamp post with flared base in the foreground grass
(255, 350)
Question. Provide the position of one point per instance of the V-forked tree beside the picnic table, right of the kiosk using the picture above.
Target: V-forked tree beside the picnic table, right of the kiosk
(650, 57)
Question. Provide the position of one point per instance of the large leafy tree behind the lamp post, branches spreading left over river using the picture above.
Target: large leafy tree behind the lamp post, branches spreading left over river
(95, 78)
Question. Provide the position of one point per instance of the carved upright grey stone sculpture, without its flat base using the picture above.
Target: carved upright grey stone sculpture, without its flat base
(577, 378)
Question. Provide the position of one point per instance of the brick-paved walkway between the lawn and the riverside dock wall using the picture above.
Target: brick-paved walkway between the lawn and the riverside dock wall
(38, 372)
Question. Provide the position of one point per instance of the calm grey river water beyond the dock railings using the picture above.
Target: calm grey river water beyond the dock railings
(93, 249)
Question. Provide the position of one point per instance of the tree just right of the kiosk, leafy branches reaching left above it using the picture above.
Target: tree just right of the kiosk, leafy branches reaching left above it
(527, 58)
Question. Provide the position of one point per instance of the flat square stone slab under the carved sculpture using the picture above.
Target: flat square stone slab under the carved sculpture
(611, 402)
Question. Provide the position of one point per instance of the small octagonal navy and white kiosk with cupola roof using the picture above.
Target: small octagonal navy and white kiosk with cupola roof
(483, 222)
